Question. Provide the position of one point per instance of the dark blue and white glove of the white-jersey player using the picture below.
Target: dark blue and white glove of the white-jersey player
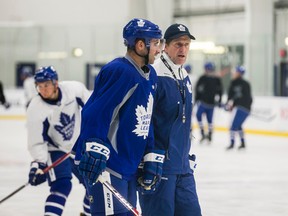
(36, 174)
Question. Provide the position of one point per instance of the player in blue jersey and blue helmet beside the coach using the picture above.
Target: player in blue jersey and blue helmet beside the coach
(115, 129)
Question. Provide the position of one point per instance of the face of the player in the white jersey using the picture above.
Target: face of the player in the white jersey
(47, 89)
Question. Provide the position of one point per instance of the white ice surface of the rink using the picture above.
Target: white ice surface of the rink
(253, 182)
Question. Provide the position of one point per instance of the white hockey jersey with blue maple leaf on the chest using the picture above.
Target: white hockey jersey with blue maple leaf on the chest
(55, 126)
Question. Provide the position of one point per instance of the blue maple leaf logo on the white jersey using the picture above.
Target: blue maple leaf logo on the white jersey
(67, 127)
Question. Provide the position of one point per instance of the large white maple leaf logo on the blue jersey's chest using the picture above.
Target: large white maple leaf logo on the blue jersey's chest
(144, 118)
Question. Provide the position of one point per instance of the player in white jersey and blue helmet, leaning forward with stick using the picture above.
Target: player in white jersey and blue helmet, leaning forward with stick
(53, 122)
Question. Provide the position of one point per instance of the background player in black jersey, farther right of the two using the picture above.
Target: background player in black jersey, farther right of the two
(239, 102)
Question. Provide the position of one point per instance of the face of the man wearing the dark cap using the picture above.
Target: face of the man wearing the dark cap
(178, 49)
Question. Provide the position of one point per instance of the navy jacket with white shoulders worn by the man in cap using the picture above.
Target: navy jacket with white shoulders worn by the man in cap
(171, 133)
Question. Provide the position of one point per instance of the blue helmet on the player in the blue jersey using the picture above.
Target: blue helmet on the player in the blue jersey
(140, 29)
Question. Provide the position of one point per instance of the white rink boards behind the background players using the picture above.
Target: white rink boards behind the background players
(268, 113)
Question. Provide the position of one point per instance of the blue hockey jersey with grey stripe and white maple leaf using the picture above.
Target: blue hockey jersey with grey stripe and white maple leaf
(119, 113)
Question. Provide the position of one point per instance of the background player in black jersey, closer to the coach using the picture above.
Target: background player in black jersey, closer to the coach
(208, 94)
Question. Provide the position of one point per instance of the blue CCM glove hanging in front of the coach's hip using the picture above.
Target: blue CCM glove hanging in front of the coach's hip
(151, 174)
